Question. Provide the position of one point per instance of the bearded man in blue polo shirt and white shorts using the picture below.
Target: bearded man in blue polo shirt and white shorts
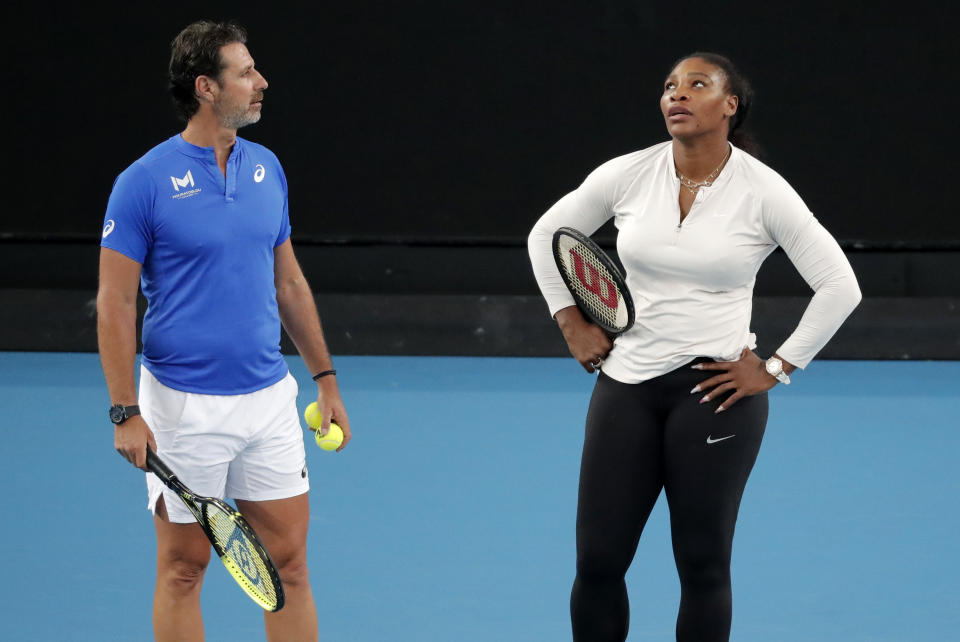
(201, 223)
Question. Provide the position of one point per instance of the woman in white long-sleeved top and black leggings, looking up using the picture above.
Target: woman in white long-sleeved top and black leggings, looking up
(681, 404)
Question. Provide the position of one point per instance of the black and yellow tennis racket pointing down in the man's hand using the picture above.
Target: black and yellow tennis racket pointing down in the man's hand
(233, 539)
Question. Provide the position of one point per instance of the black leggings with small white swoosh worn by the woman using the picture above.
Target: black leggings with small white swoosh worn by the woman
(641, 438)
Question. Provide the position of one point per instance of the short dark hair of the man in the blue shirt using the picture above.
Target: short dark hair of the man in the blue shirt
(196, 52)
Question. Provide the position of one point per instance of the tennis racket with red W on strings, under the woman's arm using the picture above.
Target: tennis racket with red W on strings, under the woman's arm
(594, 280)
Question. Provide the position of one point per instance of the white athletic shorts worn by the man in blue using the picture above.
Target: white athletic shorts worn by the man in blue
(247, 446)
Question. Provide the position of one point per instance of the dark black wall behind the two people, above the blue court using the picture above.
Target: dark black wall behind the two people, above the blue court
(421, 141)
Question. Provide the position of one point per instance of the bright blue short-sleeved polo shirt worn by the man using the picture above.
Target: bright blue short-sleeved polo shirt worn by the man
(206, 244)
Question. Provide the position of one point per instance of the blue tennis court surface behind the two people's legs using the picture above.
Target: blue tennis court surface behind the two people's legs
(450, 517)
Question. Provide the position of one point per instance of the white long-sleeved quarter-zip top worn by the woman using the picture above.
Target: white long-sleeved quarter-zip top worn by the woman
(692, 282)
